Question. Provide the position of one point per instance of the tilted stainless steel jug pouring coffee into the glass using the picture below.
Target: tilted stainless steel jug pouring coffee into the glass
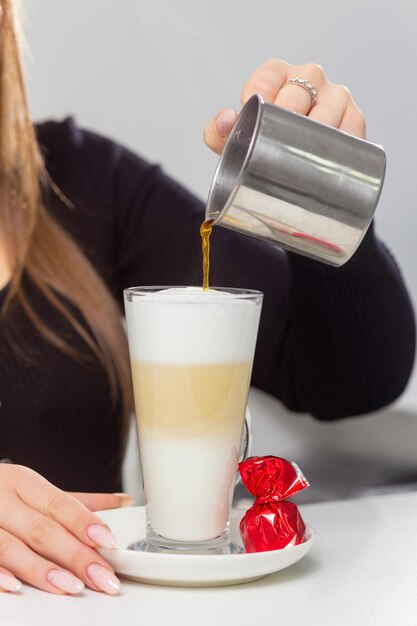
(291, 181)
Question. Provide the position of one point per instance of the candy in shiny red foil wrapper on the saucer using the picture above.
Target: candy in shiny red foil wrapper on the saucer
(271, 523)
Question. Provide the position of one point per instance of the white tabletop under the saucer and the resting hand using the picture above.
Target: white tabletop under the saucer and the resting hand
(362, 571)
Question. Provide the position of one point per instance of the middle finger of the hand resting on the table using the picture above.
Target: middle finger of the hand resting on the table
(50, 540)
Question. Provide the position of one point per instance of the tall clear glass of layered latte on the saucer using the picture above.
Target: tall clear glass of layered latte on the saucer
(191, 355)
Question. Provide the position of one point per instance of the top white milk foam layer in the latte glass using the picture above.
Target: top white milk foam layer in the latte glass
(188, 325)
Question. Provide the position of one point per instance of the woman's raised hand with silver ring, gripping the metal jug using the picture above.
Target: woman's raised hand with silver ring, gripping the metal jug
(334, 105)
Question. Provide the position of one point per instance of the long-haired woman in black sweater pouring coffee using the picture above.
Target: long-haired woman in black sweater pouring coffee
(80, 219)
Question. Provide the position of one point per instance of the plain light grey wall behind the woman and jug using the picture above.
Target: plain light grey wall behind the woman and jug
(150, 74)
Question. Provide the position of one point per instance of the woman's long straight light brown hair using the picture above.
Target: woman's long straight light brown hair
(37, 245)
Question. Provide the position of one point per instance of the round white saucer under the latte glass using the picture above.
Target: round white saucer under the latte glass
(128, 525)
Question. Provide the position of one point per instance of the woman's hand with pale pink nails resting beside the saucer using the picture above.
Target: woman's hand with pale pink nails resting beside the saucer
(48, 538)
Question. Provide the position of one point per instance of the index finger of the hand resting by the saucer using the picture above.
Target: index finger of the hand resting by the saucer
(63, 508)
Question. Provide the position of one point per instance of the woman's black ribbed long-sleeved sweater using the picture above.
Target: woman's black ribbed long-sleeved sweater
(332, 342)
